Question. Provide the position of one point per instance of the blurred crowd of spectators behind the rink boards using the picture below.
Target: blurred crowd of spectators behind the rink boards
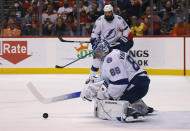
(169, 17)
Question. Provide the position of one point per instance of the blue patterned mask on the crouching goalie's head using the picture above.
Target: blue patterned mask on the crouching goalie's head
(101, 49)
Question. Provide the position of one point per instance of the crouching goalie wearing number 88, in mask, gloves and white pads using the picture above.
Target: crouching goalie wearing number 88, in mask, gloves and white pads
(121, 85)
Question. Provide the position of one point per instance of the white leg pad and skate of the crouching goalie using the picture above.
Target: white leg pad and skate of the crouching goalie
(116, 110)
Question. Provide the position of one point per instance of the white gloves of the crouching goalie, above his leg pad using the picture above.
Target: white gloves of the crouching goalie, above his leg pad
(94, 90)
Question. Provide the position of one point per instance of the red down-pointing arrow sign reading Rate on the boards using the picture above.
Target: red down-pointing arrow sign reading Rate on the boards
(14, 51)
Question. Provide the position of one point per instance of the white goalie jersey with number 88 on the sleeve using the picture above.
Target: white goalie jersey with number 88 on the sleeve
(118, 69)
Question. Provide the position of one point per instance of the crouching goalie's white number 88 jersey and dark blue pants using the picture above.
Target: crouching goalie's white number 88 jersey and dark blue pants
(124, 77)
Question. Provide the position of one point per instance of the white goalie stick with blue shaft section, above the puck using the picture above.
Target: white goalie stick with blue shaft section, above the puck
(44, 100)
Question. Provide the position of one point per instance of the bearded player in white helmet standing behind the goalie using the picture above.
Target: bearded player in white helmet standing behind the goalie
(113, 29)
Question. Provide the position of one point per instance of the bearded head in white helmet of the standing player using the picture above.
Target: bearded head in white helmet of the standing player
(108, 13)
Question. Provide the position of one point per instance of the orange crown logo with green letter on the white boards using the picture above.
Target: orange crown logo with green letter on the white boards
(83, 50)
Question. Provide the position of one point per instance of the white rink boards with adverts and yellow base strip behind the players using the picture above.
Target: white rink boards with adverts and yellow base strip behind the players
(157, 55)
